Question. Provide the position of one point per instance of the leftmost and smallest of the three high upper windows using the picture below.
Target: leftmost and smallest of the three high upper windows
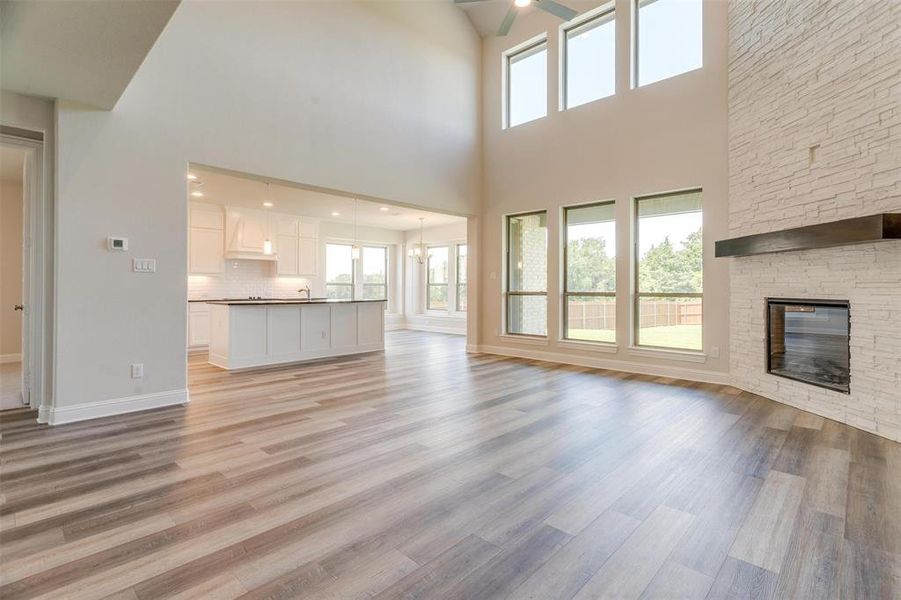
(526, 84)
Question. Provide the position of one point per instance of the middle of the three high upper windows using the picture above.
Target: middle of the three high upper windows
(589, 68)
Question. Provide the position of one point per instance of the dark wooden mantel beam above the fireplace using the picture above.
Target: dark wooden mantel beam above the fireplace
(859, 230)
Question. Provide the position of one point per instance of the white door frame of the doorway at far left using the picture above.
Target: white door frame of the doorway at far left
(36, 253)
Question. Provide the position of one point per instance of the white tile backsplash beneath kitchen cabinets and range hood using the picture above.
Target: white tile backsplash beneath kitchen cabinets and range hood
(245, 278)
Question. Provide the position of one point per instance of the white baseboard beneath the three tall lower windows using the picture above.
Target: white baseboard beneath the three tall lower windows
(612, 365)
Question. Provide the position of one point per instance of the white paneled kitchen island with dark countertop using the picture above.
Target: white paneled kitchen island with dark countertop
(255, 333)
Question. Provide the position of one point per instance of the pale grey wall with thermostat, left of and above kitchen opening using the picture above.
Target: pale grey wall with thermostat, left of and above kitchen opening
(377, 99)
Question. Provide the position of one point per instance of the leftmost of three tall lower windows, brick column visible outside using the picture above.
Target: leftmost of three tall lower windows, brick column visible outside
(527, 274)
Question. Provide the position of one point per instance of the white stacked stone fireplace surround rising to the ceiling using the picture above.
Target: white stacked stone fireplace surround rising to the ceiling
(815, 136)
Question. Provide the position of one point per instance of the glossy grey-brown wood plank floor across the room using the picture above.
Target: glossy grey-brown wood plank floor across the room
(428, 473)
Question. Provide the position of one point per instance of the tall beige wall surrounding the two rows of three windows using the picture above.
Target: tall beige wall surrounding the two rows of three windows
(665, 136)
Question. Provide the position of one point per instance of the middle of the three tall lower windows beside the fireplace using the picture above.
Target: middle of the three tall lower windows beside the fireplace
(589, 286)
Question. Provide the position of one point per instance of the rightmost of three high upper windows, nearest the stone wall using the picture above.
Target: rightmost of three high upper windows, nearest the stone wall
(668, 38)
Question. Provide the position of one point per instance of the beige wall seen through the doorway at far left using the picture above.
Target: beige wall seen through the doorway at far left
(10, 268)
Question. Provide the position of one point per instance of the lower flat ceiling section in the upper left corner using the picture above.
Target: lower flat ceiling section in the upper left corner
(86, 51)
